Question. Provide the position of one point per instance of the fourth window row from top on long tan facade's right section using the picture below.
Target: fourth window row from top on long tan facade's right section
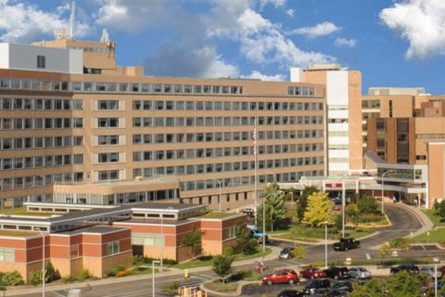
(220, 136)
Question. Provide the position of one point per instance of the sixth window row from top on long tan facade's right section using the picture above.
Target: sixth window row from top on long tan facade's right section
(226, 167)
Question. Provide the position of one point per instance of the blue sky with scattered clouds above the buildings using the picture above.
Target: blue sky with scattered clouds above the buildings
(393, 43)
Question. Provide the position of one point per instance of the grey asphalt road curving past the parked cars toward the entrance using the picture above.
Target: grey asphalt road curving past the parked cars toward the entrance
(403, 223)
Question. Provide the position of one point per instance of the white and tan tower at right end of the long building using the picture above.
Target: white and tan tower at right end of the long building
(343, 97)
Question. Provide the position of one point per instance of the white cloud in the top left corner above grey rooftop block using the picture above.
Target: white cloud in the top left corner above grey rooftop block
(24, 23)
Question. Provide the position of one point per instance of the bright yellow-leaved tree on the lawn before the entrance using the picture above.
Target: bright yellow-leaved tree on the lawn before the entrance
(319, 210)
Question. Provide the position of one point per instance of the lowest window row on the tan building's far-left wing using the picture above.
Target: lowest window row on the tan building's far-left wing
(40, 180)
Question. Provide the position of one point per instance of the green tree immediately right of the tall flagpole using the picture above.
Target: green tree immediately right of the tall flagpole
(273, 203)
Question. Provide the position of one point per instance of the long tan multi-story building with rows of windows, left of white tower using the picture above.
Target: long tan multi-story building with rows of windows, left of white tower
(76, 128)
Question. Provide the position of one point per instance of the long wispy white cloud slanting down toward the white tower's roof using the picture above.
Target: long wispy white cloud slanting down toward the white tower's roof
(261, 41)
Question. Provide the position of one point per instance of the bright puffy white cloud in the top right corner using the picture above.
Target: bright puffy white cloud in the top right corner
(421, 23)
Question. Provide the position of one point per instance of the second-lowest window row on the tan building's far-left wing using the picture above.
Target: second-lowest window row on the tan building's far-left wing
(40, 161)
